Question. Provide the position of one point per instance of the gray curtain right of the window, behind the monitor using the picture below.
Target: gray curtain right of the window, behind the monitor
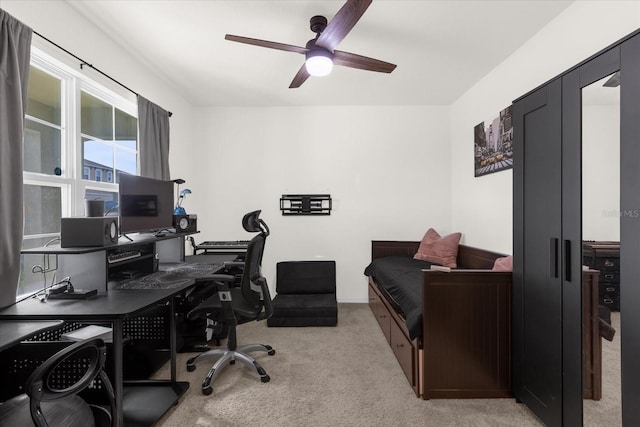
(153, 123)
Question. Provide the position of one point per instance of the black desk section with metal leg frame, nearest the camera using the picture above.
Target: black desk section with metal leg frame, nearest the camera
(114, 307)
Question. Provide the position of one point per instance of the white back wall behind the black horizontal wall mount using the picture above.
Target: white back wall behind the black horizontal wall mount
(386, 168)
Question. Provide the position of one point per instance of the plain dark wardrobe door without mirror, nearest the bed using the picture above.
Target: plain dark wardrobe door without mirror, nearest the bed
(537, 275)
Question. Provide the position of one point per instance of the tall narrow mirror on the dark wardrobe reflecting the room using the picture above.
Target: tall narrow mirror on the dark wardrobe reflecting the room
(601, 252)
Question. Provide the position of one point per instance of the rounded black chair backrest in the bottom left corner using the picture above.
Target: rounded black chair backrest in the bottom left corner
(43, 384)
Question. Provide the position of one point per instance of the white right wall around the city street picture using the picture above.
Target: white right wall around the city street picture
(482, 207)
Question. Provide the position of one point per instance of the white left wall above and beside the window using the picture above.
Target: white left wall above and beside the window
(60, 23)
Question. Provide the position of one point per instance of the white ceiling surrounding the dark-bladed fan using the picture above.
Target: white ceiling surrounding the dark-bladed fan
(442, 48)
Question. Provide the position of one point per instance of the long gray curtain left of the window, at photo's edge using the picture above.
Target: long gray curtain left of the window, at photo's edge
(15, 52)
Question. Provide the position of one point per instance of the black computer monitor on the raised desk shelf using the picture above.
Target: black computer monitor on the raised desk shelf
(145, 204)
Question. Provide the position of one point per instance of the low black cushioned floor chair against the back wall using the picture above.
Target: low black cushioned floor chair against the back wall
(306, 294)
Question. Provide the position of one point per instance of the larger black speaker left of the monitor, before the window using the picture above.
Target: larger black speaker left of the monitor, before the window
(88, 231)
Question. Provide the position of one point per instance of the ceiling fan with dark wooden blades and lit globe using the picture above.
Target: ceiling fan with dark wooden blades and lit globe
(320, 53)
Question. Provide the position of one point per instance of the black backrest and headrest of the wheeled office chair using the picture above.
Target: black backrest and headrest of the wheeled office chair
(253, 285)
